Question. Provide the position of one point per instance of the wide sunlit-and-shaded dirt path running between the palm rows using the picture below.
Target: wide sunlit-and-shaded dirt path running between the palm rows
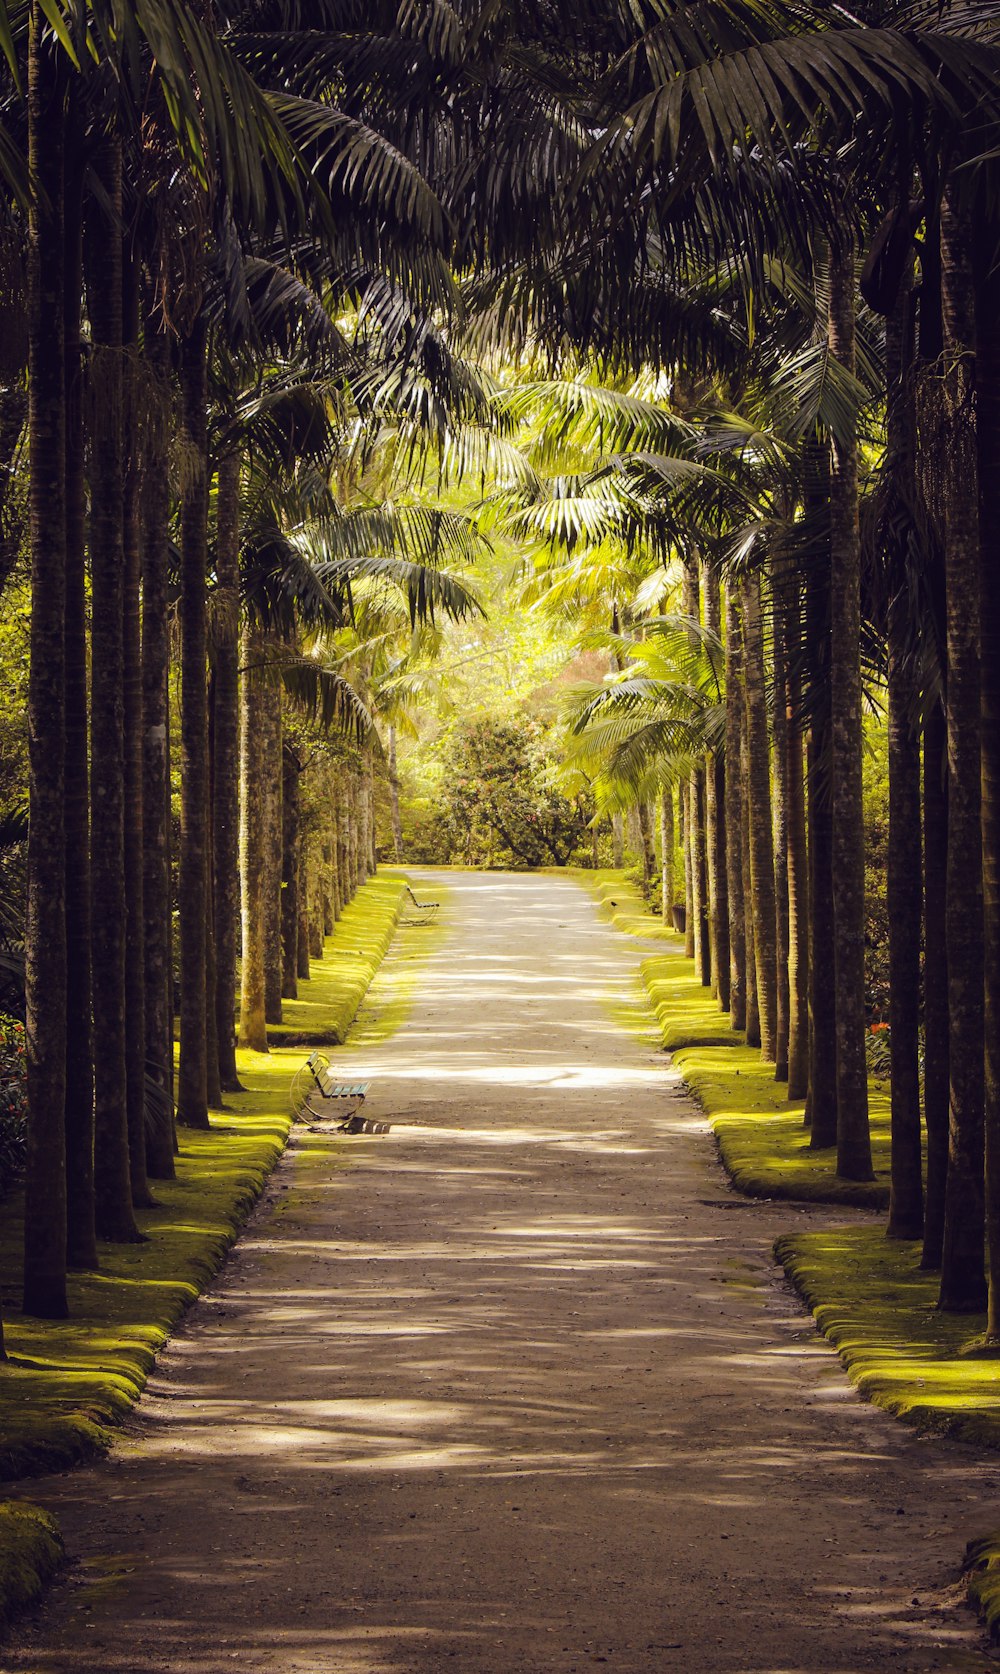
(515, 1389)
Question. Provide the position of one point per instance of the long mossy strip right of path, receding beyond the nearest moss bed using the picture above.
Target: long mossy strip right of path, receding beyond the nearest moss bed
(761, 1134)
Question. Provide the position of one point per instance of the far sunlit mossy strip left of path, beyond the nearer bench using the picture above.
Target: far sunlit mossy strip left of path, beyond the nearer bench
(331, 999)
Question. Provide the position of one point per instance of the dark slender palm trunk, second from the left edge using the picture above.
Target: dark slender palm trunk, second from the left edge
(80, 1091)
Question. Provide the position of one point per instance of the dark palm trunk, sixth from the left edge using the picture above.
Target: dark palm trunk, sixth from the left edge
(193, 895)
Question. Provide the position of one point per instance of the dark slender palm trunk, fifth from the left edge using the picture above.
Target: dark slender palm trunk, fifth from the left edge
(157, 860)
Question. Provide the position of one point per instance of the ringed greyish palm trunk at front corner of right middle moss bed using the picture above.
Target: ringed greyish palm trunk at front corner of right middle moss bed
(847, 781)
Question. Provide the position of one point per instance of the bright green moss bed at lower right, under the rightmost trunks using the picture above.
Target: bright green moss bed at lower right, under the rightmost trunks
(877, 1307)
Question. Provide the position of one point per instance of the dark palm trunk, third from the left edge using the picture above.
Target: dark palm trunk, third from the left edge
(108, 741)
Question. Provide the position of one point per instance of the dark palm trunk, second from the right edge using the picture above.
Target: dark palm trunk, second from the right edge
(964, 1285)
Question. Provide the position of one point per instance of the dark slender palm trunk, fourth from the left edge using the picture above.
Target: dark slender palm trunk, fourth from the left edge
(133, 754)
